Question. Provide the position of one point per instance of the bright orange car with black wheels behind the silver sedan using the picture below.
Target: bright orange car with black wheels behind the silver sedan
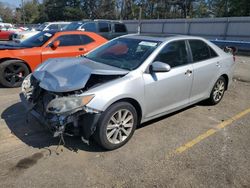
(17, 61)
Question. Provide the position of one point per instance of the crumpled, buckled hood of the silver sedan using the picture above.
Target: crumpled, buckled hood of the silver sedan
(69, 74)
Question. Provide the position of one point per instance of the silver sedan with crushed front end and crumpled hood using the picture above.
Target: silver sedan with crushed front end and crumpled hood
(125, 82)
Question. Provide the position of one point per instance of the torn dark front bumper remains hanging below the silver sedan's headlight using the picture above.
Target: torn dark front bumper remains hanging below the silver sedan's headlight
(78, 123)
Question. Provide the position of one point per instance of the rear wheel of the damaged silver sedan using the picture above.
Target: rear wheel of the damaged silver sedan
(215, 96)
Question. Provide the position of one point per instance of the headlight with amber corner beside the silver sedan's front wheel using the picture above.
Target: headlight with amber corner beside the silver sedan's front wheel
(67, 104)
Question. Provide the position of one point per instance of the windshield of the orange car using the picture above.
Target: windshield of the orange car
(37, 40)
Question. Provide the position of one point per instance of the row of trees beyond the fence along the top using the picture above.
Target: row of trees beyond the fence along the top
(68, 10)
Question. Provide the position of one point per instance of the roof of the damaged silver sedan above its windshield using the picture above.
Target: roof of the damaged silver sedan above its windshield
(159, 37)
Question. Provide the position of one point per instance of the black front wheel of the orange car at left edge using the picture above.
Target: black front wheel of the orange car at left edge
(12, 73)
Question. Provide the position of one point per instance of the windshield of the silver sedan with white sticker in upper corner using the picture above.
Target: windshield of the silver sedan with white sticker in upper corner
(125, 53)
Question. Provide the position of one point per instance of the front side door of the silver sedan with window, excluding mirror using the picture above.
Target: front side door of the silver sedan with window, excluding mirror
(166, 91)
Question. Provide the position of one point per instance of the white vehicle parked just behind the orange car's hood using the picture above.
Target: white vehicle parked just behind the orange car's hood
(21, 36)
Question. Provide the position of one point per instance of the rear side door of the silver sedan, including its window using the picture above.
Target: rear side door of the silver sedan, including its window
(206, 67)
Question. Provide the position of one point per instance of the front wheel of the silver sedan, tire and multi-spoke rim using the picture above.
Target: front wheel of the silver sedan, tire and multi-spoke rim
(116, 126)
